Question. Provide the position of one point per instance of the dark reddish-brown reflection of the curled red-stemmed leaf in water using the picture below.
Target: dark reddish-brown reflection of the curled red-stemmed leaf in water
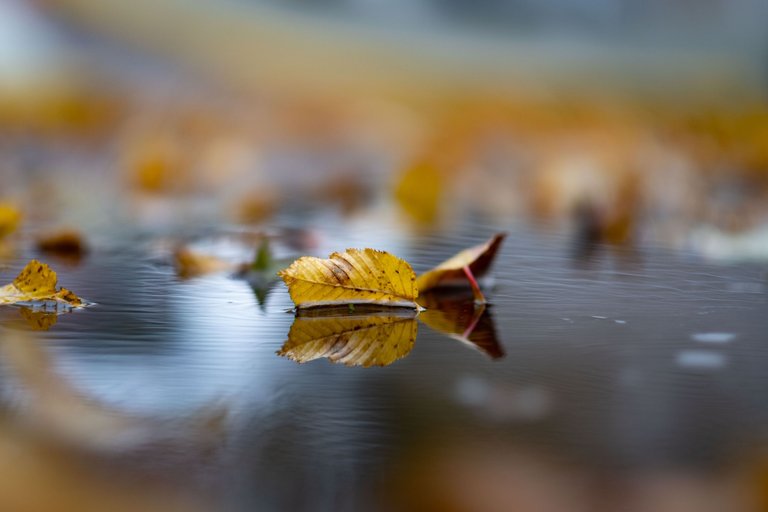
(462, 319)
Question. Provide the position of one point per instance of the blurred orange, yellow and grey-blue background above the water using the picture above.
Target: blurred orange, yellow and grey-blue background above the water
(647, 120)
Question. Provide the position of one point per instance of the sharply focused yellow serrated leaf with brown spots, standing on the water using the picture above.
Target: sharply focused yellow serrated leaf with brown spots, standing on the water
(357, 276)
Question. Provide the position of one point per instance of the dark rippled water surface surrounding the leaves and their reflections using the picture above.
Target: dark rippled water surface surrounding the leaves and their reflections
(624, 374)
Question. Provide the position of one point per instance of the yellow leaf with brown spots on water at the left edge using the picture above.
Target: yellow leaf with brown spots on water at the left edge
(37, 283)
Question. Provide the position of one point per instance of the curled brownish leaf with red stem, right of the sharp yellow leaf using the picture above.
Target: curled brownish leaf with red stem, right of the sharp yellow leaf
(463, 268)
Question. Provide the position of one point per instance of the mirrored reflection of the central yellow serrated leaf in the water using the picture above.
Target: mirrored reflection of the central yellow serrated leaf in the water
(354, 340)
